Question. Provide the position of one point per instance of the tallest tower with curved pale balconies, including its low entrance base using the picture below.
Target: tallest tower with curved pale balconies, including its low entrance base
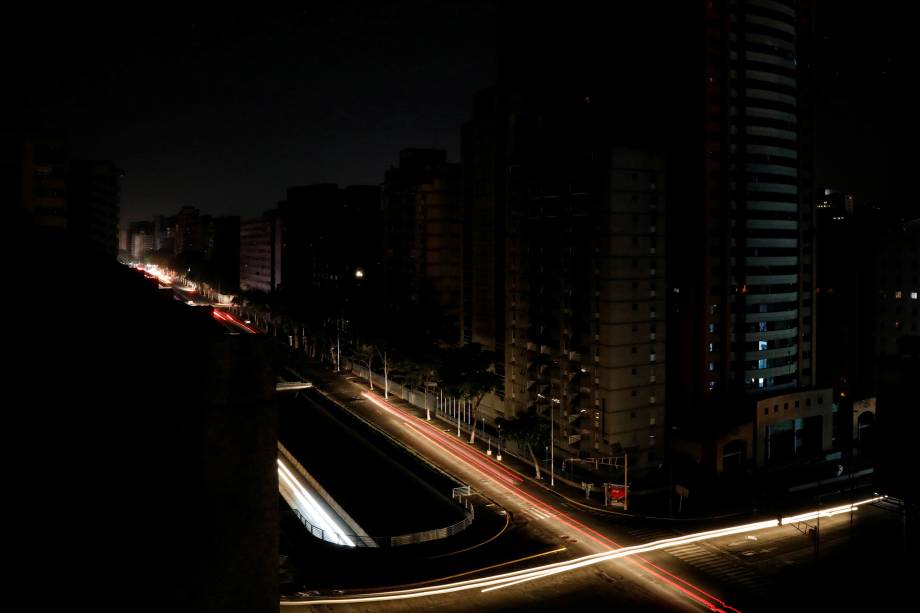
(742, 268)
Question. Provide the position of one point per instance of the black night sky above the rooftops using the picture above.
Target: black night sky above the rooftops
(224, 110)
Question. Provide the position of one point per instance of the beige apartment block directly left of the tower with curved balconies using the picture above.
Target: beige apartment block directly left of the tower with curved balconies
(585, 297)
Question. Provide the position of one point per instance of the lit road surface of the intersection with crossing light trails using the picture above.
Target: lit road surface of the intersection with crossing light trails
(693, 574)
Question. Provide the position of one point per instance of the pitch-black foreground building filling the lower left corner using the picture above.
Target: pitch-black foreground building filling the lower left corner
(151, 467)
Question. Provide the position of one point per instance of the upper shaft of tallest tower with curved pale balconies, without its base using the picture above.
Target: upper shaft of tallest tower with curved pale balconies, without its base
(757, 284)
